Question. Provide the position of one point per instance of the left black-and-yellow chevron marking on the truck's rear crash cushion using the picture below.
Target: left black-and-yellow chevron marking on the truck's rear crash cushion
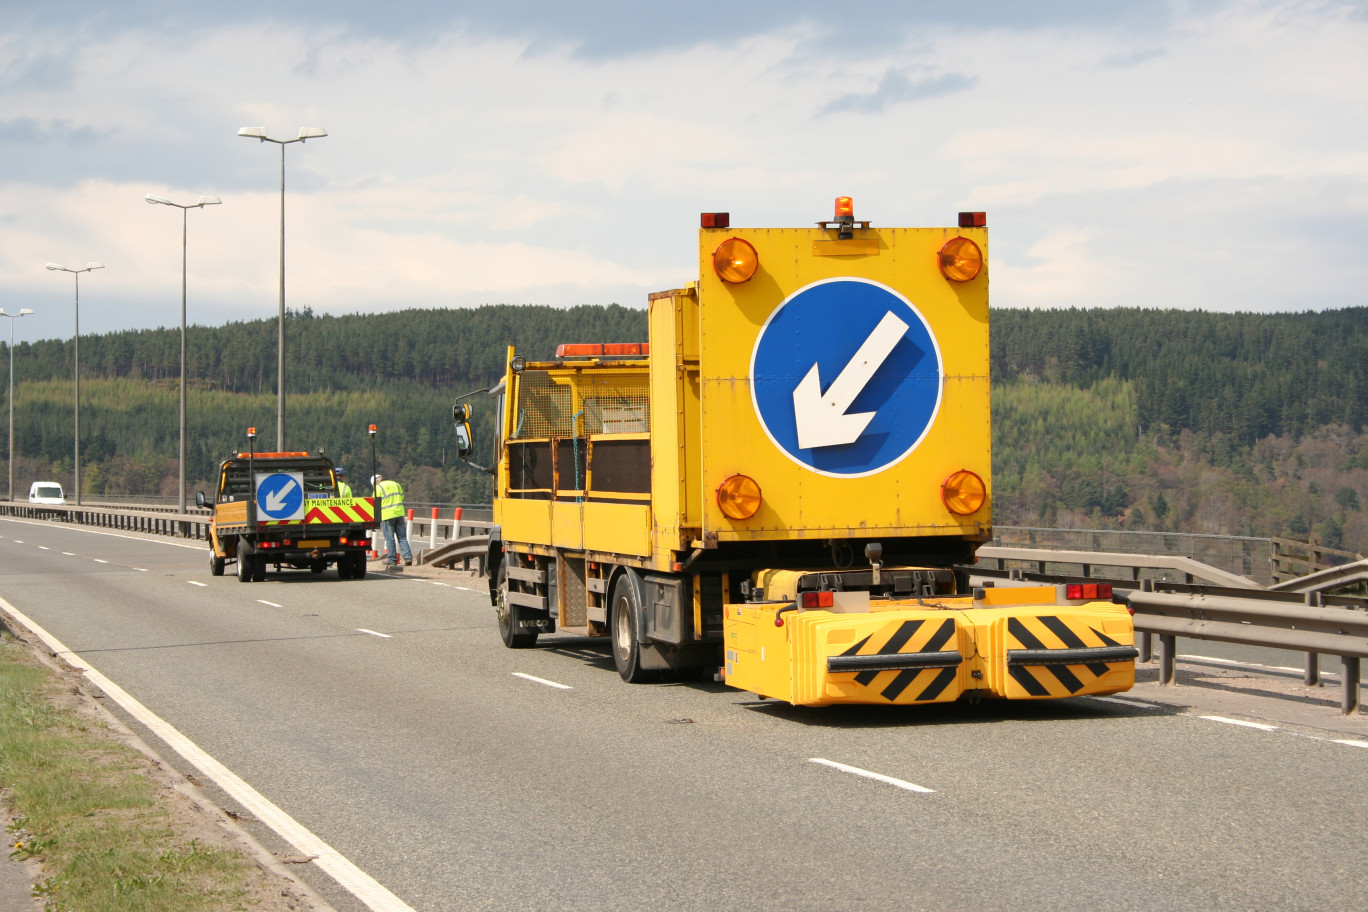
(902, 656)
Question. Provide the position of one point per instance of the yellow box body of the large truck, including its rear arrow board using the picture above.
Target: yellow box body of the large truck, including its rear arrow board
(696, 416)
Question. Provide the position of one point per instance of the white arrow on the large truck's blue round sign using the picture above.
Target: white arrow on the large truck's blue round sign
(823, 420)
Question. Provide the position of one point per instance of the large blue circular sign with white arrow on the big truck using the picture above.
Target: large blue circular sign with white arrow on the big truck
(846, 377)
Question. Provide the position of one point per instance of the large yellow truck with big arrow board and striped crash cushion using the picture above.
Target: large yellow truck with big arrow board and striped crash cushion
(779, 486)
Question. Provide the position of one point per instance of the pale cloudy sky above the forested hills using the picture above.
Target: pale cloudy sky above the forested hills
(1198, 154)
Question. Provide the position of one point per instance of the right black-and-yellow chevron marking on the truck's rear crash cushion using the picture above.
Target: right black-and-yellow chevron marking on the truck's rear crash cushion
(1040, 656)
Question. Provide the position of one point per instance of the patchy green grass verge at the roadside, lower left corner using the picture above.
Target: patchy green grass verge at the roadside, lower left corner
(85, 809)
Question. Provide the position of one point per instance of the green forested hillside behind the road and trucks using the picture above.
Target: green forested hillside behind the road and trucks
(1228, 425)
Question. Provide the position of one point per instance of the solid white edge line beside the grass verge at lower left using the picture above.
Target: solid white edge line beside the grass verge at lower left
(352, 879)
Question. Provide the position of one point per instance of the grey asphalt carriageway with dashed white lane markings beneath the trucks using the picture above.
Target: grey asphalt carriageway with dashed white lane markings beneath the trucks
(386, 717)
